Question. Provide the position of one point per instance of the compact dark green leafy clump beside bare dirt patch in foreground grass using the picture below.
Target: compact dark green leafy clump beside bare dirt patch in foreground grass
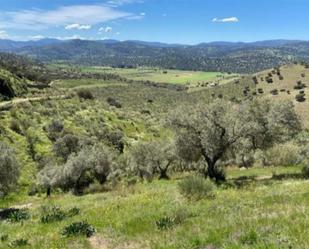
(79, 228)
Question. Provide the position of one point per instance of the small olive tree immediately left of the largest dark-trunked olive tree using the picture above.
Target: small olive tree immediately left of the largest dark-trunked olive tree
(154, 157)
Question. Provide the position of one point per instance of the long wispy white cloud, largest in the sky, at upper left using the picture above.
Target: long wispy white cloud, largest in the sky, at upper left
(36, 19)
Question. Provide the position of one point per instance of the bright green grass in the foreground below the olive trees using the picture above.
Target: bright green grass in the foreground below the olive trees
(263, 214)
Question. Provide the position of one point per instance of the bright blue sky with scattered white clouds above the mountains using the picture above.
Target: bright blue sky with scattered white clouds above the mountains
(169, 21)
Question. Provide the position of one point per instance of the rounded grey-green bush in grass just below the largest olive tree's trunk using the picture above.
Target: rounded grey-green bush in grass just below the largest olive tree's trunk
(196, 188)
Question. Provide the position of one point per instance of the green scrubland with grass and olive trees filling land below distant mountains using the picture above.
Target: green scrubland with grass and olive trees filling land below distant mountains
(98, 159)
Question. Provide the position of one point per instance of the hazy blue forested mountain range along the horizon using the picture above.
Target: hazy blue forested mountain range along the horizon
(236, 57)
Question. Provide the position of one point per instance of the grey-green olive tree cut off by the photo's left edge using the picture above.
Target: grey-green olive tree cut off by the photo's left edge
(9, 169)
